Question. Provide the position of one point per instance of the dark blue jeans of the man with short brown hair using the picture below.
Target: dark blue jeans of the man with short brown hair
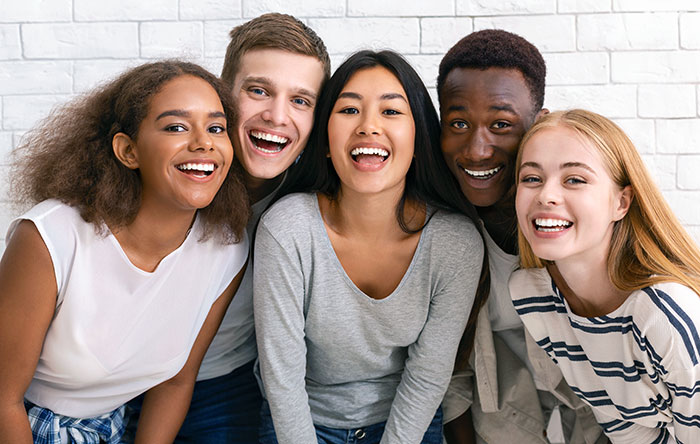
(224, 410)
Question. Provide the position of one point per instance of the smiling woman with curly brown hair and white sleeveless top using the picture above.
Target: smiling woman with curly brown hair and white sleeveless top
(116, 280)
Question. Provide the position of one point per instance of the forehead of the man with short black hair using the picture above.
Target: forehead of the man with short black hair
(475, 89)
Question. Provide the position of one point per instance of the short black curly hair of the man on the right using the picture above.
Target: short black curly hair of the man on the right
(496, 48)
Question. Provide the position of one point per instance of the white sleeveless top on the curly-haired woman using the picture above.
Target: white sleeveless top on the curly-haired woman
(118, 330)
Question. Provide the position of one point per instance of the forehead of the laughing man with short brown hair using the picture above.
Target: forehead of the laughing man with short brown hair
(281, 67)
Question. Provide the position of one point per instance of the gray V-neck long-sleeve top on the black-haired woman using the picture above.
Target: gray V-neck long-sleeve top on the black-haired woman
(331, 355)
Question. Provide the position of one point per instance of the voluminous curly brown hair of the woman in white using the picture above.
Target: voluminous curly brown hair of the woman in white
(69, 156)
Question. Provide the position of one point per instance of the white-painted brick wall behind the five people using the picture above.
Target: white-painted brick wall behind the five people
(637, 61)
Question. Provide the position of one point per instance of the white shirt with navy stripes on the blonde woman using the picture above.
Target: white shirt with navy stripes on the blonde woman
(637, 367)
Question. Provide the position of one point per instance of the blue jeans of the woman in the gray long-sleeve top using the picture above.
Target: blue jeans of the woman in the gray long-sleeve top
(371, 434)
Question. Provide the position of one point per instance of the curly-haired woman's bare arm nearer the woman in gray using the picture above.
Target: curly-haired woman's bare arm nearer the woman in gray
(165, 405)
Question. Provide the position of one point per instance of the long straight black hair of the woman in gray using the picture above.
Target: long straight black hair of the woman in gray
(428, 179)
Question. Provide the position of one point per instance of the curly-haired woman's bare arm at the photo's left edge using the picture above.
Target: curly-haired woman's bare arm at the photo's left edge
(27, 304)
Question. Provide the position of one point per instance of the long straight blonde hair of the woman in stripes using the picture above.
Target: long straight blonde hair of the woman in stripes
(649, 245)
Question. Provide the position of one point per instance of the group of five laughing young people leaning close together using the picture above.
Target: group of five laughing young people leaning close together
(147, 298)
